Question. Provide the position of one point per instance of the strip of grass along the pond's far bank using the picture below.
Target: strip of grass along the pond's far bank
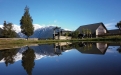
(6, 44)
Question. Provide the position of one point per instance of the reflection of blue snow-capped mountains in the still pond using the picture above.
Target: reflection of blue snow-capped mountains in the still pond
(40, 52)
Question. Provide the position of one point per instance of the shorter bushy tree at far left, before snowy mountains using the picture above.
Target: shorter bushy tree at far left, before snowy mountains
(8, 31)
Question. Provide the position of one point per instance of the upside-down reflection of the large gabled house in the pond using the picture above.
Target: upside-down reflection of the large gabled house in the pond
(89, 48)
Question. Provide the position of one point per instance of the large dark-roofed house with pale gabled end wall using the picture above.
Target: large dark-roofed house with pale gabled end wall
(96, 29)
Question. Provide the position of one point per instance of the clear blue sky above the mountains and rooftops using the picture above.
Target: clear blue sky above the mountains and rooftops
(68, 14)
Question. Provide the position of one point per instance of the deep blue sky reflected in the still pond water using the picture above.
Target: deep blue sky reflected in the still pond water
(71, 62)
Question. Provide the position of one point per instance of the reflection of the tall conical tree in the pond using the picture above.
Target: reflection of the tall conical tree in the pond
(28, 60)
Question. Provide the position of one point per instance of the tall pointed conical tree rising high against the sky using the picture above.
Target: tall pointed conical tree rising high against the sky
(26, 23)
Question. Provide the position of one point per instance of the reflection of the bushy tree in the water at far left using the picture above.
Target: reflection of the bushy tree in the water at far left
(8, 55)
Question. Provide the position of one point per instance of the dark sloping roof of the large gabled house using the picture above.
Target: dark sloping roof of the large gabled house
(92, 27)
